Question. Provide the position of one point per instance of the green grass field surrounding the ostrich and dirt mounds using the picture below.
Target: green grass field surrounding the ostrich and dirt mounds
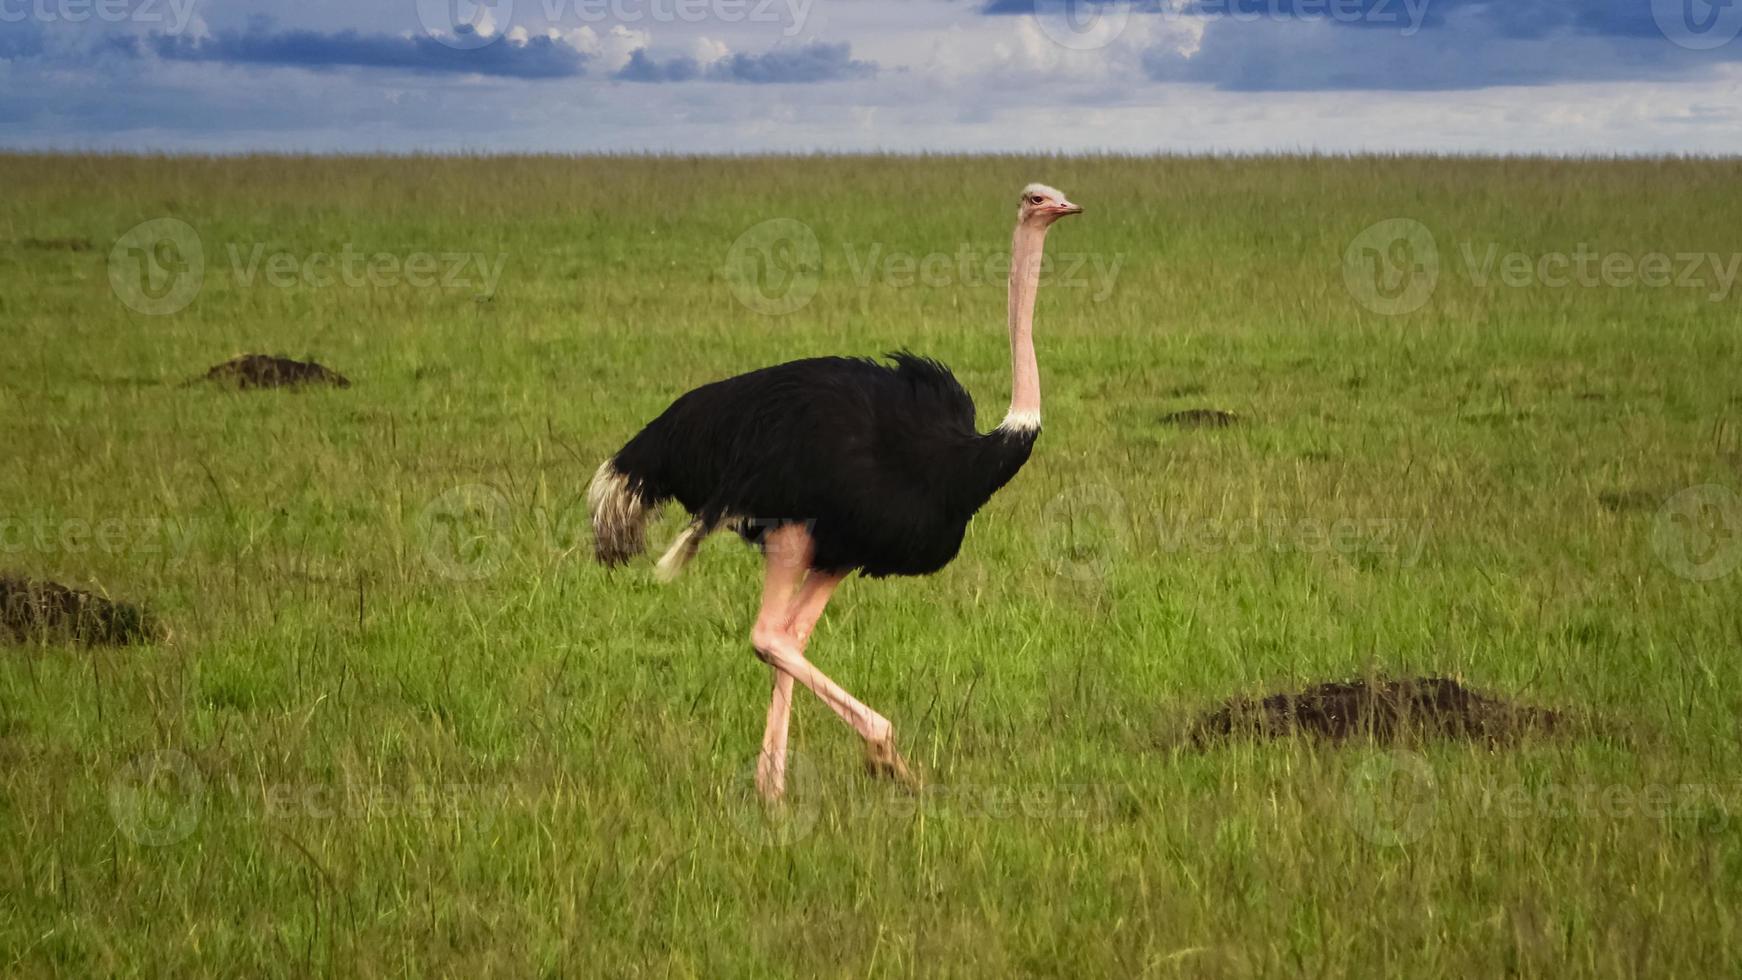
(405, 727)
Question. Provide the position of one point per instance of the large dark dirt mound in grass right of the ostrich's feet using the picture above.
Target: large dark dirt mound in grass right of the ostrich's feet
(1384, 711)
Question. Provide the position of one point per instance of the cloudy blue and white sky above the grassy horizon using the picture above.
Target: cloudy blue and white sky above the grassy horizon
(874, 76)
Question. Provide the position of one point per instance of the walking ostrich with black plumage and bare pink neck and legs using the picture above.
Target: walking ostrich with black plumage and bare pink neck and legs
(834, 466)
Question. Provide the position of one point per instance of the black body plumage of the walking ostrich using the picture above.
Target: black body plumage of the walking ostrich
(881, 462)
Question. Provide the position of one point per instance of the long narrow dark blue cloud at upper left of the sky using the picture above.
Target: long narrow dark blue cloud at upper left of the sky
(534, 58)
